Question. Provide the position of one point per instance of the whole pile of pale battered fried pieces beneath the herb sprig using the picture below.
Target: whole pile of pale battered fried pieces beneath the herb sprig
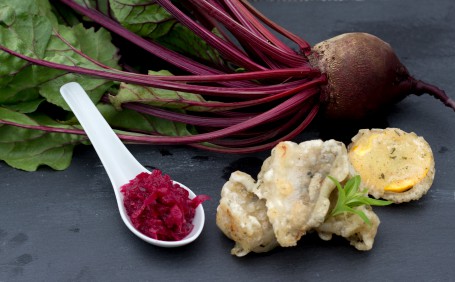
(292, 196)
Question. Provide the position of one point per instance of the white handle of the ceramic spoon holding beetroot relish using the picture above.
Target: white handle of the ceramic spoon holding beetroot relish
(120, 164)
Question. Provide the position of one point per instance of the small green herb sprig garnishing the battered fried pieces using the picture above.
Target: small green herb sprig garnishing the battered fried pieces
(350, 197)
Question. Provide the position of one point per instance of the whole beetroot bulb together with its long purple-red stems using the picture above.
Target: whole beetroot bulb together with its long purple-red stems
(260, 91)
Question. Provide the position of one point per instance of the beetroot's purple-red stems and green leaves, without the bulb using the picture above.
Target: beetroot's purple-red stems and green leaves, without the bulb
(237, 87)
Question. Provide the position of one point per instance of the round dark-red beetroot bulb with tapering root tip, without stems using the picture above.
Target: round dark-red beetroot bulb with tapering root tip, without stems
(363, 76)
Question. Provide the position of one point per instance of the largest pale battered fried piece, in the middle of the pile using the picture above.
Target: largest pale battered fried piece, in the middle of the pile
(293, 182)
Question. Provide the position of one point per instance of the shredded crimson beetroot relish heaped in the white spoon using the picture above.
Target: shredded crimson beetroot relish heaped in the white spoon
(159, 208)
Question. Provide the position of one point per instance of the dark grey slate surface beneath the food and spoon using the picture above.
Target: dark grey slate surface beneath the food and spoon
(64, 226)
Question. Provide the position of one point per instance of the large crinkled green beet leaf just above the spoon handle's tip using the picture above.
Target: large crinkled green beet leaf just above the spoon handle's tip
(21, 82)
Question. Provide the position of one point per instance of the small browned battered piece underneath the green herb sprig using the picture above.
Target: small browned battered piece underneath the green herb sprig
(352, 227)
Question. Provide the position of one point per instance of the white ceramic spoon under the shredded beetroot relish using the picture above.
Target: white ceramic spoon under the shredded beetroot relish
(120, 164)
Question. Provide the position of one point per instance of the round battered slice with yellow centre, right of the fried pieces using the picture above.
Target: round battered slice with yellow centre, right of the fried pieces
(393, 164)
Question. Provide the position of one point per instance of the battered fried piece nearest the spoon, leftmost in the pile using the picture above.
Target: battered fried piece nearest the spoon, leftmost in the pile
(242, 216)
